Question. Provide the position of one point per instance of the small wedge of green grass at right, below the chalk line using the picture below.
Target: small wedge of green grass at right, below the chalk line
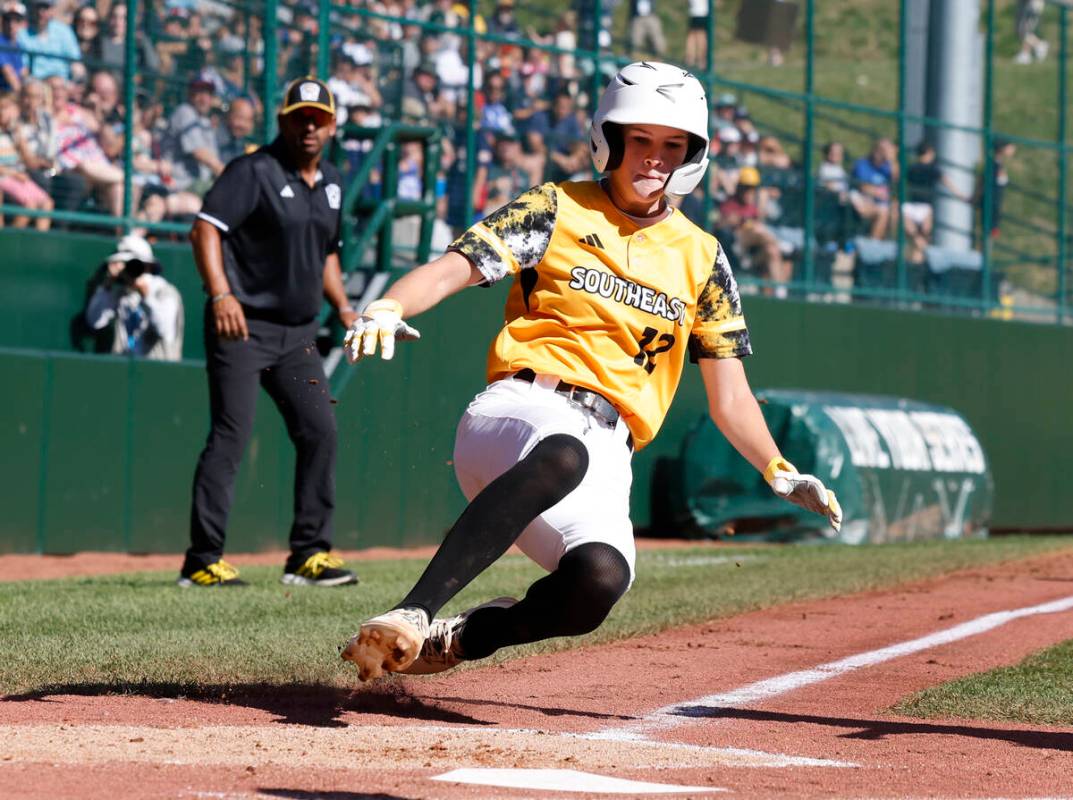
(1037, 691)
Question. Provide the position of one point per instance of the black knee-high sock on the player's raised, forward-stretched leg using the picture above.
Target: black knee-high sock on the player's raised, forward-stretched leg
(496, 518)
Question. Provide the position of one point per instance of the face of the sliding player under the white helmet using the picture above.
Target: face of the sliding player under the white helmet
(651, 154)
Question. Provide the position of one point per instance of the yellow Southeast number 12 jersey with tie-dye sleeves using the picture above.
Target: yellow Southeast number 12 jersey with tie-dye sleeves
(604, 303)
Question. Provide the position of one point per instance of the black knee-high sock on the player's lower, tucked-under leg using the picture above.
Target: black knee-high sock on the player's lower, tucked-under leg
(572, 601)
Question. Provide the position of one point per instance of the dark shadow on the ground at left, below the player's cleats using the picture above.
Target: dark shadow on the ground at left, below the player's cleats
(315, 705)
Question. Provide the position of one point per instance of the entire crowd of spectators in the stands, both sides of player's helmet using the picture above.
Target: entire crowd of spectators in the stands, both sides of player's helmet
(64, 128)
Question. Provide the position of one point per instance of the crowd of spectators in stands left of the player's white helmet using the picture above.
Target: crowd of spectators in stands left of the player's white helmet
(65, 127)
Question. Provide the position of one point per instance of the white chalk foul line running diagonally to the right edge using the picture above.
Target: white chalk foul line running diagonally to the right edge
(671, 717)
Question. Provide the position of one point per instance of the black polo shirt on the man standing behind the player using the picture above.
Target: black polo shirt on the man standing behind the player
(277, 233)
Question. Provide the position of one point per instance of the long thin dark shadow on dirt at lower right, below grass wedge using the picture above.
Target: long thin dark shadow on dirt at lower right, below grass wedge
(879, 730)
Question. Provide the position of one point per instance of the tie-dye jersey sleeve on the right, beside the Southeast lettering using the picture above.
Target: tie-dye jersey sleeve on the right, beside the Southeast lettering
(719, 330)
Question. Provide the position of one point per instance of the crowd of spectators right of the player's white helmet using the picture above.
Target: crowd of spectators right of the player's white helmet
(757, 196)
